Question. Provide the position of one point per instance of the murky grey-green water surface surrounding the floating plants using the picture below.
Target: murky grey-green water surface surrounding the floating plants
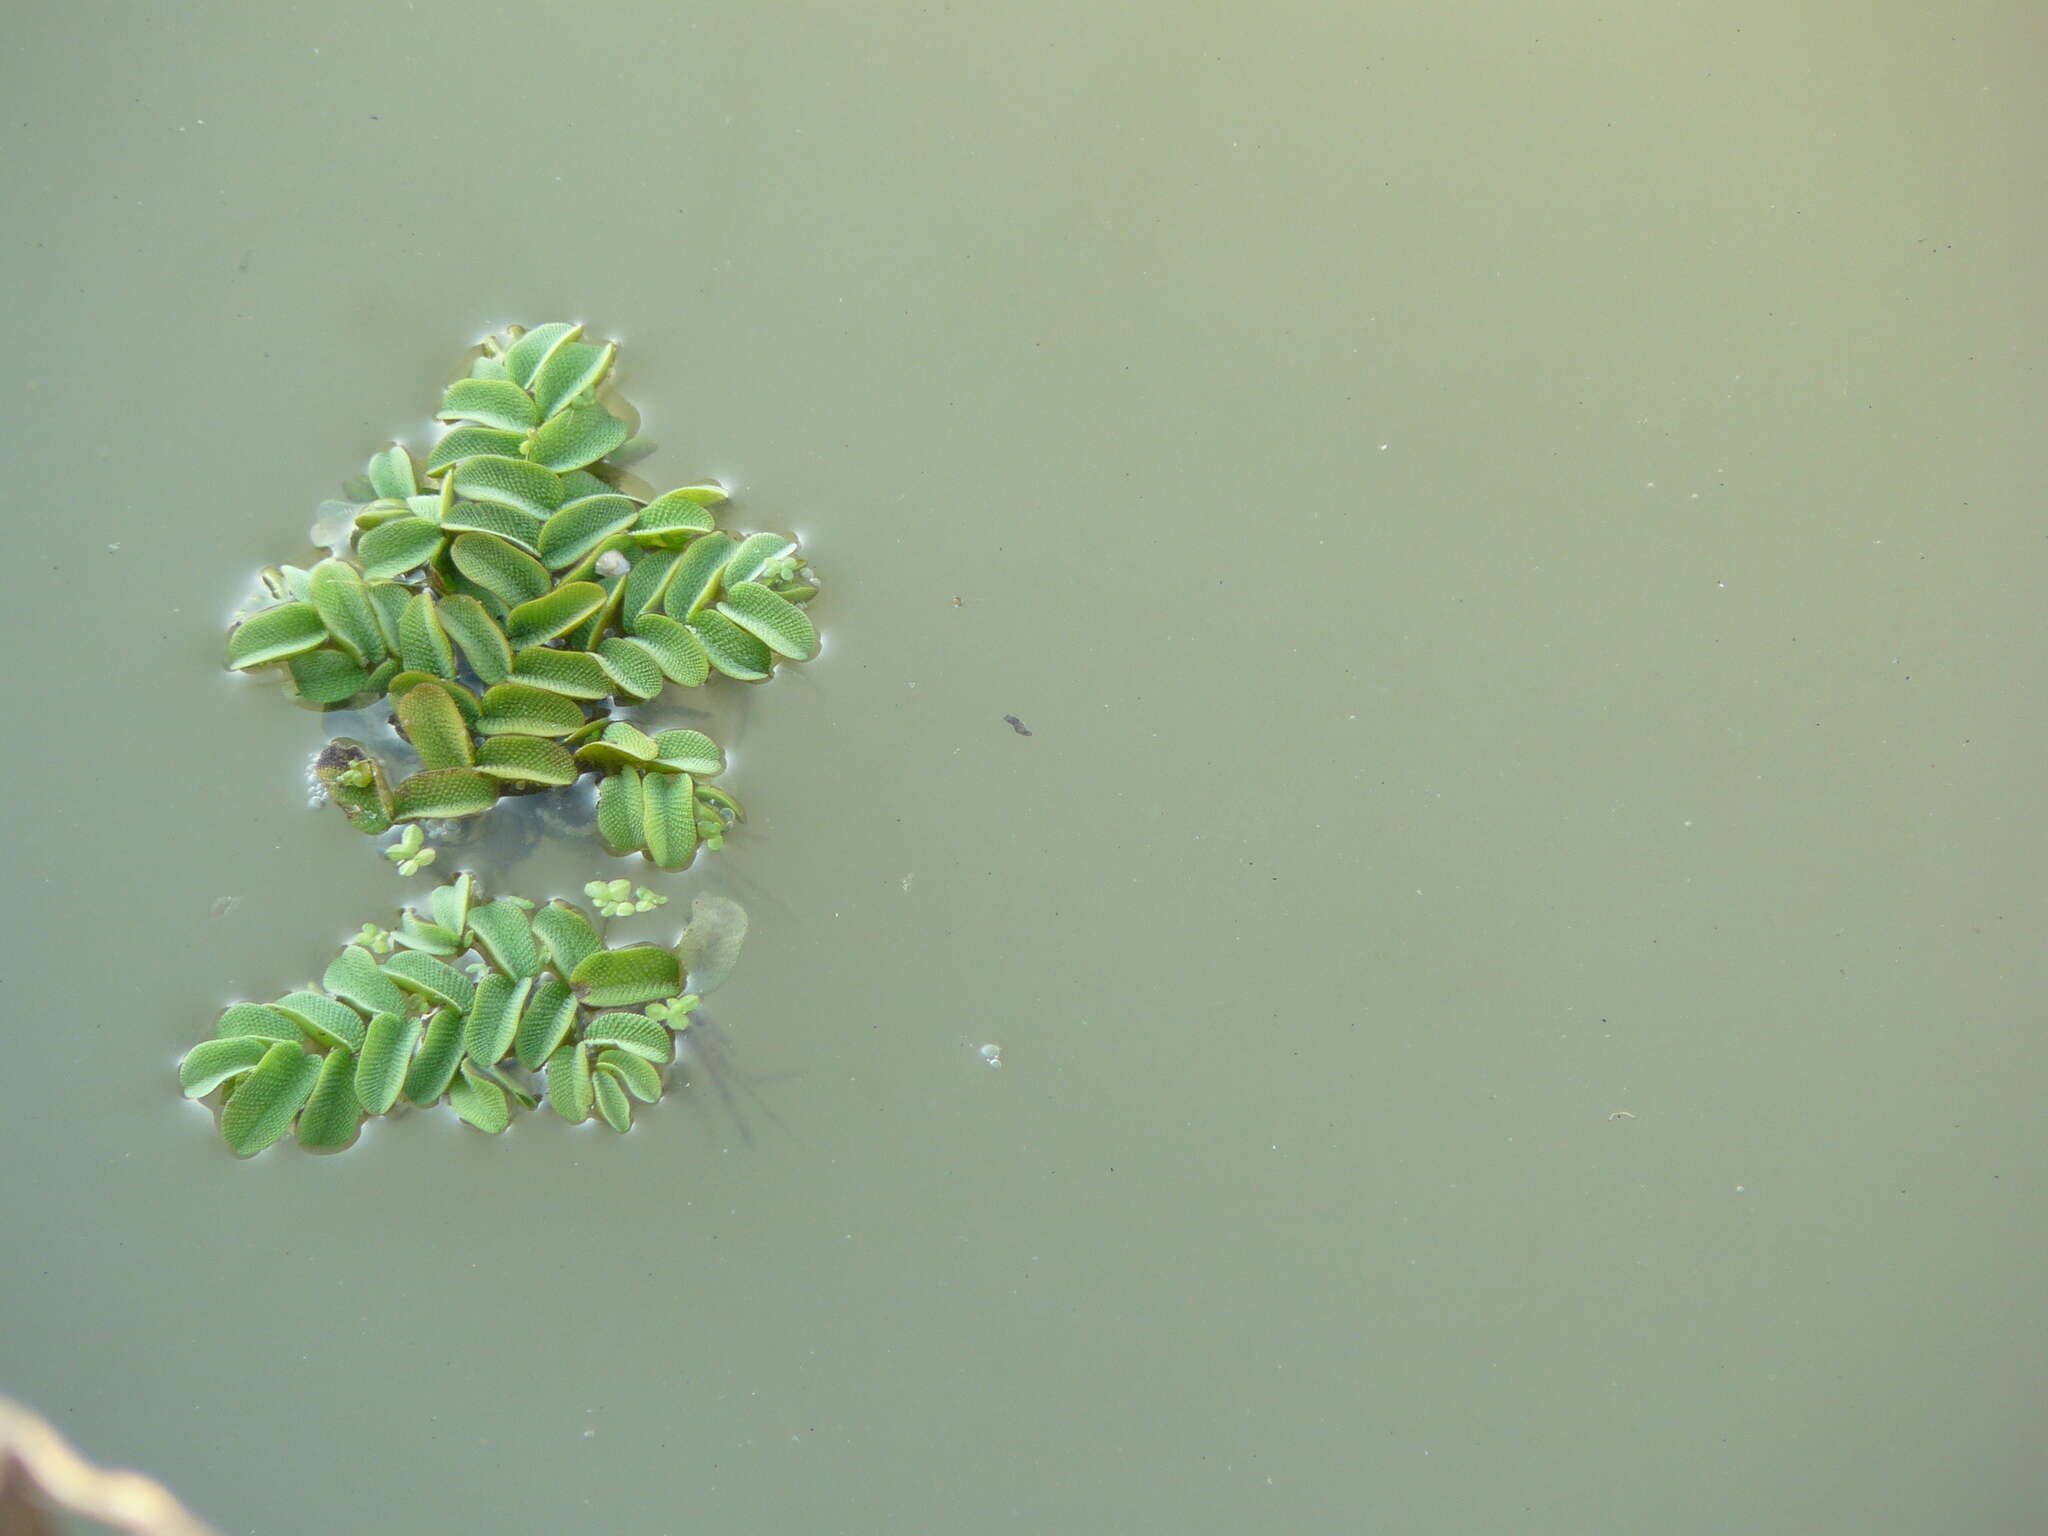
(1514, 935)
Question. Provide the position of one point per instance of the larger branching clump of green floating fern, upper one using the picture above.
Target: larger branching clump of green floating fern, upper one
(509, 599)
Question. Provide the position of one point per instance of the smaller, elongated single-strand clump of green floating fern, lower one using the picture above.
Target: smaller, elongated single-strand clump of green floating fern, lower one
(484, 1005)
